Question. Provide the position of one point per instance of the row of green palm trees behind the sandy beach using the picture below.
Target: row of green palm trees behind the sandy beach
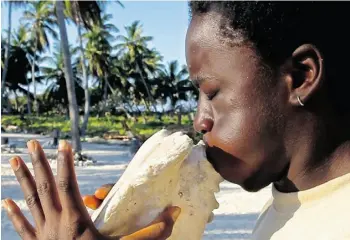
(104, 72)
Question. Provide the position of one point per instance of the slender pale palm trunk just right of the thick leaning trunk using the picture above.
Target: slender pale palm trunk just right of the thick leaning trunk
(86, 87)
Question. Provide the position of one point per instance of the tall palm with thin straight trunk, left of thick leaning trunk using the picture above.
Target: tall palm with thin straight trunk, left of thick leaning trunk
(41, 19)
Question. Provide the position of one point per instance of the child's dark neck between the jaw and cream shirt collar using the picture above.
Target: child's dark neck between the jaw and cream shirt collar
(321, 152)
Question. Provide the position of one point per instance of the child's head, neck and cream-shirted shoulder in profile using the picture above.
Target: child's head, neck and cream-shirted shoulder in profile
(274, 108)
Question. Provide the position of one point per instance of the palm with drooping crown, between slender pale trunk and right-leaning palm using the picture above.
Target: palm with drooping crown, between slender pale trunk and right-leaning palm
(98, 51)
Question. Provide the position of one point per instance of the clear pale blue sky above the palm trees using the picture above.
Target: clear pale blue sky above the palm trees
(166, 21)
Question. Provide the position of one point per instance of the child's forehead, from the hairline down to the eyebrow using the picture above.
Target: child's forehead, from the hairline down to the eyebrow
(208, 52)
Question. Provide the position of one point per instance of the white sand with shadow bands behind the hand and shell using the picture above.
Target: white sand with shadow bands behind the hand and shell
(234, 219)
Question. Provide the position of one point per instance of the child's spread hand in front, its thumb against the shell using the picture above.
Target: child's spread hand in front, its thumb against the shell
(57, 208)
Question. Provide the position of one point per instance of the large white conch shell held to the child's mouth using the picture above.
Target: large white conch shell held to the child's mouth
(166, 171)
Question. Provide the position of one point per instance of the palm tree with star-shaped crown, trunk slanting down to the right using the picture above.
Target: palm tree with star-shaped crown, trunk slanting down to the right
(144, 60)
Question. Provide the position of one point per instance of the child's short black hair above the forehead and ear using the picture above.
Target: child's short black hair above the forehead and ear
(276, 29)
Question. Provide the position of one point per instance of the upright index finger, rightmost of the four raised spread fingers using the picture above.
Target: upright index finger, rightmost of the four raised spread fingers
(68, 190)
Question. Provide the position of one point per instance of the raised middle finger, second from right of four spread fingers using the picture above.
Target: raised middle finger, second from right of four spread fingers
(45, 182)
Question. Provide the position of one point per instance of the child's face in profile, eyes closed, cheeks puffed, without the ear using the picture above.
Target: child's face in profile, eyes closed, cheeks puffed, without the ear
(240, 109)
